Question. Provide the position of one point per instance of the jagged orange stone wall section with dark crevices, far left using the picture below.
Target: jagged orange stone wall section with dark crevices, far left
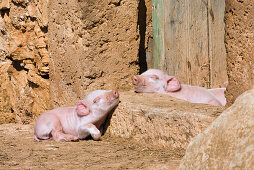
(24, 60)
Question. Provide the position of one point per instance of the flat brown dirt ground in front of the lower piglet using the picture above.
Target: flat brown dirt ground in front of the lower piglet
(18, 150)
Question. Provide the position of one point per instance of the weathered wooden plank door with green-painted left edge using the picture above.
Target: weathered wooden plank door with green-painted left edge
(188, 40)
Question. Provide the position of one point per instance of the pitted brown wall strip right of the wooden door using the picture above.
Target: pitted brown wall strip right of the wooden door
(239, 26)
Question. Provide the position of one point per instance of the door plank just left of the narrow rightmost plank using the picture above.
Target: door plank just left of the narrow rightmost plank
(198, 59)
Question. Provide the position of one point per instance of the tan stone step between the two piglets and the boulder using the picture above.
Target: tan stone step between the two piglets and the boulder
(160, 120)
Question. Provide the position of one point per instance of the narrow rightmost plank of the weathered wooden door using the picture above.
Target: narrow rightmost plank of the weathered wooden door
(217, 51)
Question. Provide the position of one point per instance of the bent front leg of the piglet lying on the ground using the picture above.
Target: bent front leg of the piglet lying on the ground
(89, 129)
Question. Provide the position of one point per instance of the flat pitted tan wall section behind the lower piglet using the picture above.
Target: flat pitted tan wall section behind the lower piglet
(93, 44)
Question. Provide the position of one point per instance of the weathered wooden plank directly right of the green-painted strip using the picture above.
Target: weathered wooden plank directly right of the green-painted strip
(176, 43)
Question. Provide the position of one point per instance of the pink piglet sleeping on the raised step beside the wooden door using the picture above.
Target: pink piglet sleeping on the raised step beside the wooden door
(156, 81)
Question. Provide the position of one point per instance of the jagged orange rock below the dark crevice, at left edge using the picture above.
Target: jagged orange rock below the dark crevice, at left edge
(22, 95)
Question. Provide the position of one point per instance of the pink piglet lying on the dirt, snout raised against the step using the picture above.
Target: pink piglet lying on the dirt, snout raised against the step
(73, 123)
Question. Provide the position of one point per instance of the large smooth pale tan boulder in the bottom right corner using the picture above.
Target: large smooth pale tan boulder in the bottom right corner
(229, 138)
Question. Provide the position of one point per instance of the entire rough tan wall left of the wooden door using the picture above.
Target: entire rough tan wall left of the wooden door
(93, 44)
